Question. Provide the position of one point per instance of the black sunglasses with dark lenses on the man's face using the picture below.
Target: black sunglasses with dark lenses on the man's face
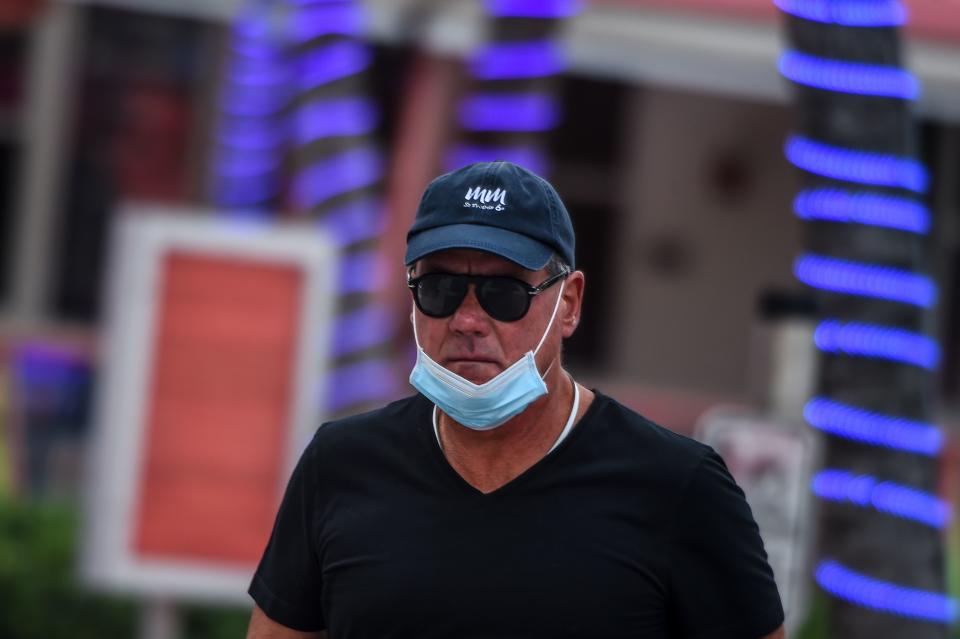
(505, 299)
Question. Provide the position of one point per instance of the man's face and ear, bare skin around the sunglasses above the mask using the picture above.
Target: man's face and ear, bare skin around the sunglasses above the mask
(474, 345)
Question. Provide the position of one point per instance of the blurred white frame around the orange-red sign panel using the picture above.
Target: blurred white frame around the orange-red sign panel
(142, 237)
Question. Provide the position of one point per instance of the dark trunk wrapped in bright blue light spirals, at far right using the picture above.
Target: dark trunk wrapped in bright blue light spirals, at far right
(880, 550)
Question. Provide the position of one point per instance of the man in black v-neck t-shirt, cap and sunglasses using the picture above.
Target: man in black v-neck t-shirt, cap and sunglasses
(506, 500)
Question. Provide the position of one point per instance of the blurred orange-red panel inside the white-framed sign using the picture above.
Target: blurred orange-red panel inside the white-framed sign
(221, 385)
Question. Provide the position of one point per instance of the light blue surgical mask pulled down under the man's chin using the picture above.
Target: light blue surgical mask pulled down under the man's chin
(488, 405)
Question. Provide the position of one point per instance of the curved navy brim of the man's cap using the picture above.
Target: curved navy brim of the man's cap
(527, 252)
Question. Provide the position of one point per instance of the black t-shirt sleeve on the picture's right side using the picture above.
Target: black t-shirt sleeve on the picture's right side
(721, 584)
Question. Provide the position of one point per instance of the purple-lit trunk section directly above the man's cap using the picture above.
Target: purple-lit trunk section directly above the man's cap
(512, 105)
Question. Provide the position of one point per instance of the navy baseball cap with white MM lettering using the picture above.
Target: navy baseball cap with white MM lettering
(497, 207)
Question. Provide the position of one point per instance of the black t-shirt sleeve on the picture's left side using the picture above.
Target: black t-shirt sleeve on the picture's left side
(287, 584)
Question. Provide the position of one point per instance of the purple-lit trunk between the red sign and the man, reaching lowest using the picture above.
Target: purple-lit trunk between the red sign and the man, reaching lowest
(337, 181)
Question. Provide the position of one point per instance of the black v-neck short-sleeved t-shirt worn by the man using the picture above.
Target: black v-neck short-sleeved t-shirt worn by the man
(624, 530)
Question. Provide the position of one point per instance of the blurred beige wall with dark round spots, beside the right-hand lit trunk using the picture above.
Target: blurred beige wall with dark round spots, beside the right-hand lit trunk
(707, 224)
